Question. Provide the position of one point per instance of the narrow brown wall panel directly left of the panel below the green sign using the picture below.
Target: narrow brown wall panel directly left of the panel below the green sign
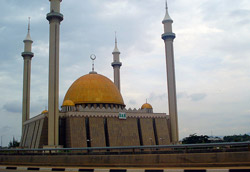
(97, 134)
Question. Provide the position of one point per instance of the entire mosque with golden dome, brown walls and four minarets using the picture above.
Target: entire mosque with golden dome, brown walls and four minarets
(93, 113)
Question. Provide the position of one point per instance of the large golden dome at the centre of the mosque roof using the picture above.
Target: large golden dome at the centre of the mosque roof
(94, 88)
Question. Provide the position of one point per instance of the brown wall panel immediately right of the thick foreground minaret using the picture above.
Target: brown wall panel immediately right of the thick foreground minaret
(76, 132)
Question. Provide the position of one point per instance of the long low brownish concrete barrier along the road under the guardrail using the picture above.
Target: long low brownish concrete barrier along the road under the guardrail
(221, 159)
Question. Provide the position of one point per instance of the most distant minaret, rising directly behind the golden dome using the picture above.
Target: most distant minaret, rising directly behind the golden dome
(116, 65)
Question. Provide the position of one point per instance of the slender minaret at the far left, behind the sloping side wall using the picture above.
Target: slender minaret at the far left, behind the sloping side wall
(27, 56)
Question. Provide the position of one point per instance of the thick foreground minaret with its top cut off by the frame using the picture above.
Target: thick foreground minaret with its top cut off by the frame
(54, 18)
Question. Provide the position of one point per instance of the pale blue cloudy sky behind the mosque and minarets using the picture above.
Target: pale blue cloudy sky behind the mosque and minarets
(211, 49)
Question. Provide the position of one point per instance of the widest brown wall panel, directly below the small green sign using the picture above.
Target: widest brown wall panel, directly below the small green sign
(123, 132)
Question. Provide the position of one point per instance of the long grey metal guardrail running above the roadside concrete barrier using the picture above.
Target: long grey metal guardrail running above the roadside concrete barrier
(182, 148)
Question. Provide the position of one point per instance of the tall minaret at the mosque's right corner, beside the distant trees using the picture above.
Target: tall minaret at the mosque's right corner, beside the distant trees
(168, 36)
